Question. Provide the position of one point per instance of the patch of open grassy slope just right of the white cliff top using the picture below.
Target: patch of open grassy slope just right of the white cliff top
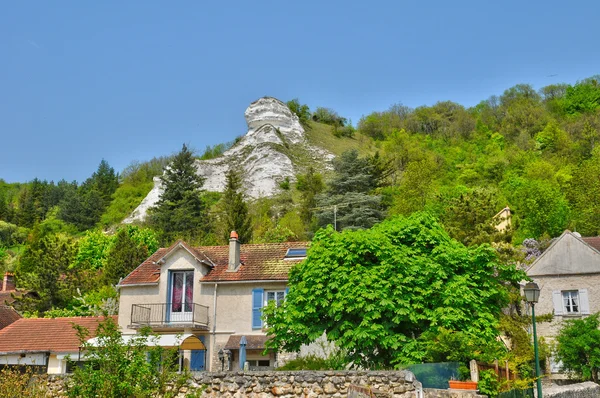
(321, 135)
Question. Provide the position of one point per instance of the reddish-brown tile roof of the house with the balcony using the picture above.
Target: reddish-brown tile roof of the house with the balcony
(264, 261)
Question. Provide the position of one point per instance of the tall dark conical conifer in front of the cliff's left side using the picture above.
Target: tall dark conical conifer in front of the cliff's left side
(181, 210)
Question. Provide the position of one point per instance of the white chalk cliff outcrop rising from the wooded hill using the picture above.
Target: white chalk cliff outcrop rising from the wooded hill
(267, 154)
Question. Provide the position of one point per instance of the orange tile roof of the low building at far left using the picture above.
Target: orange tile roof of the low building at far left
(45, 334)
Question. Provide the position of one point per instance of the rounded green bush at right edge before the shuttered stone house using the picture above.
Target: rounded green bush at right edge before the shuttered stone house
(579, 347)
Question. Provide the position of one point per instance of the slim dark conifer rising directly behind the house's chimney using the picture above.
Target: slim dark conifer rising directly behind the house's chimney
(236, 217)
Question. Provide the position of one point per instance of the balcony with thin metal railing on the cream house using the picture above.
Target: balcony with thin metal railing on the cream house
(169, 316)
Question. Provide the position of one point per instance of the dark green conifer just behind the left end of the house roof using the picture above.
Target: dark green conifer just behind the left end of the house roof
(124, 257)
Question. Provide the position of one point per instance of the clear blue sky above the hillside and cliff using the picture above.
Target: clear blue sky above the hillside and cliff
(124, 81)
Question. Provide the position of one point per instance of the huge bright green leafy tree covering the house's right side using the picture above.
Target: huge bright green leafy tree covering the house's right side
(376, 292)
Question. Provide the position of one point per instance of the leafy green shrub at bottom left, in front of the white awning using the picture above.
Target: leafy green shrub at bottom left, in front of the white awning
(116, 368)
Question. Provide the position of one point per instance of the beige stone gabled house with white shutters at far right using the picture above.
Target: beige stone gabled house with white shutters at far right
(568, 274)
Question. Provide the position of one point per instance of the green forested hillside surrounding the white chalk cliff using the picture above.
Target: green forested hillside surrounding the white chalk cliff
(532, 150)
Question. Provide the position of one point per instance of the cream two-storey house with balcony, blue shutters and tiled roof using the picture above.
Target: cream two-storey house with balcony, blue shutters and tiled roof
(210, 298)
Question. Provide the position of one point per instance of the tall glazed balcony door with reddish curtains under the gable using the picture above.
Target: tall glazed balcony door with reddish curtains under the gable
(182, 296)
